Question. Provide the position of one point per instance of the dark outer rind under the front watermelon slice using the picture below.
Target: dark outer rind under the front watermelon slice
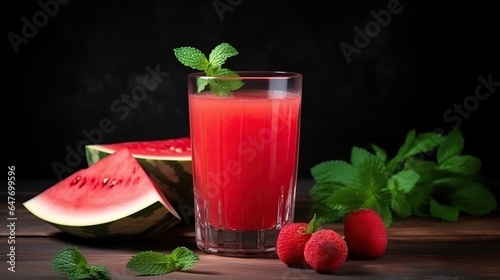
(150, 221)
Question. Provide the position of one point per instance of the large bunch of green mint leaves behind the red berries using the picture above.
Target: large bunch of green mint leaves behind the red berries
(428, 177)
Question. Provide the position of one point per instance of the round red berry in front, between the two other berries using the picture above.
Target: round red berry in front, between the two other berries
(325, 251)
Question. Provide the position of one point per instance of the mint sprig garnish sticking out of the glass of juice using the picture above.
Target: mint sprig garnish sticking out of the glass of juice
(212, 66)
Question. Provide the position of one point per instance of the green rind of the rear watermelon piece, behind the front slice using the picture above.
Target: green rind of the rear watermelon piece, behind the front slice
(172, 177)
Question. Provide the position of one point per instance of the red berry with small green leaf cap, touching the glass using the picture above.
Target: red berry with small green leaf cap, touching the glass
(292, 240)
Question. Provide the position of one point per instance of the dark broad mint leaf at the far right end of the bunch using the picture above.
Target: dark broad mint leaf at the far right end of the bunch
(474, 199)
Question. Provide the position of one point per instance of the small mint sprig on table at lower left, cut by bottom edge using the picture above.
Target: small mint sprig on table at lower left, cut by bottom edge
(71, 262)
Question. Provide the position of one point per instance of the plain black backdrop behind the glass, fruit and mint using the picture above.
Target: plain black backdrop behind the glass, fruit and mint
(426, 60)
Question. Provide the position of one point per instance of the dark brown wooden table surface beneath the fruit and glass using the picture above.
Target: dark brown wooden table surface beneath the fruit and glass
(418, 249)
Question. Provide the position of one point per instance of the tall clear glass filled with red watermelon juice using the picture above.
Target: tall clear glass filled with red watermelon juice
(245, 156)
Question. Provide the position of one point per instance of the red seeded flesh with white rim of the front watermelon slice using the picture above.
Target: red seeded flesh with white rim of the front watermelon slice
(113, 188)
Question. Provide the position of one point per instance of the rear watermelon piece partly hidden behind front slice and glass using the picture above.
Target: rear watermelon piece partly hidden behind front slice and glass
(167, 162)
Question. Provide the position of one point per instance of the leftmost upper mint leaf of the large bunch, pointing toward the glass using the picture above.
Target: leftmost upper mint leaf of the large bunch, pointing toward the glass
(335, 171)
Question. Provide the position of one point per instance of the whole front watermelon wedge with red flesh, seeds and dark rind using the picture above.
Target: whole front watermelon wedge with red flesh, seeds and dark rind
(114, 198)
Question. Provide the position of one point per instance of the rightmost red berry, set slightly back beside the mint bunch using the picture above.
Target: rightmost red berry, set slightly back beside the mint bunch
(365, 234)
